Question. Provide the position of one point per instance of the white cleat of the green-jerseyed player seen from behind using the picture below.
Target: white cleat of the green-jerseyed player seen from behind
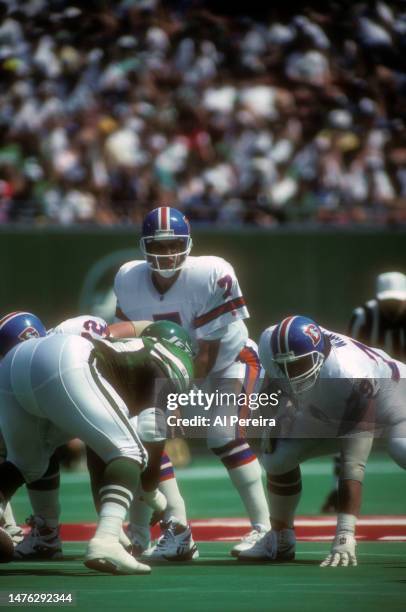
(104, 555)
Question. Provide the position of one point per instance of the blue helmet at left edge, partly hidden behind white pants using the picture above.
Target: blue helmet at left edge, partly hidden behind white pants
(18, 326)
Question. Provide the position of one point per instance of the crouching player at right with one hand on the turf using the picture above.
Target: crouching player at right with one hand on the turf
(336, 393)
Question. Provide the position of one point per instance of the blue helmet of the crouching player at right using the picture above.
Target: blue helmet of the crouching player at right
(298, 348)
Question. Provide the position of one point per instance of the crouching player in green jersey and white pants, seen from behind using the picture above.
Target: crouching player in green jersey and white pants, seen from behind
(58, 387)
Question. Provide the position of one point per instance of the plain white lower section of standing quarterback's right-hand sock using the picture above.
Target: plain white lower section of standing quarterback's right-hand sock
(247, 479)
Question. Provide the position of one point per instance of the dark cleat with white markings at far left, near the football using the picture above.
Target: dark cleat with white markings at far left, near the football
(42, 542)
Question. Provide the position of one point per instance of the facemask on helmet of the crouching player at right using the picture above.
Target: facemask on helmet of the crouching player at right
(301, 372)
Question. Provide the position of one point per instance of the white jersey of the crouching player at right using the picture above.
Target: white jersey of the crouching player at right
(351, 375)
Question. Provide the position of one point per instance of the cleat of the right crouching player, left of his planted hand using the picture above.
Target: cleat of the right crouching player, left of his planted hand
(273, 546)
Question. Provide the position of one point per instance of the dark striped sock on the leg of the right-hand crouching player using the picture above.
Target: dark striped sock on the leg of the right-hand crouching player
(284, 495)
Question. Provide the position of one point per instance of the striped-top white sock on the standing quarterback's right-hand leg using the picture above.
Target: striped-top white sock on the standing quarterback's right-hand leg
(245, 474)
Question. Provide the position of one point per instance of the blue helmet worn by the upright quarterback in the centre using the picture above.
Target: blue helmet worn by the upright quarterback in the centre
(160, 227)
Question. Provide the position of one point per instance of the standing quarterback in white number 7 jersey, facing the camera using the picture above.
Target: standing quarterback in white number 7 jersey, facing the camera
(203, 295)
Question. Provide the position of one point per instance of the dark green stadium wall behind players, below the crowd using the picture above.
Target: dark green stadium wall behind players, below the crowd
(59, 273)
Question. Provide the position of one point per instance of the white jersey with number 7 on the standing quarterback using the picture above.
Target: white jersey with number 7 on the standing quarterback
(205, 299)
